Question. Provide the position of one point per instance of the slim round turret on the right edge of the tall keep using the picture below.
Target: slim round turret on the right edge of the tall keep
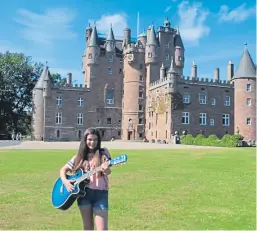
(179, 52)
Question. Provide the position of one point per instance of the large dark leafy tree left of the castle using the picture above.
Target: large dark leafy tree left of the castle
(18, 76)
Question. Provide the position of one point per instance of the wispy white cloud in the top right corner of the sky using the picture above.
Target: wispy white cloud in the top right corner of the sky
(239, 14)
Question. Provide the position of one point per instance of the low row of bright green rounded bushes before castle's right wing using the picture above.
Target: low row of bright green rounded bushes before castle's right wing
(226, 141)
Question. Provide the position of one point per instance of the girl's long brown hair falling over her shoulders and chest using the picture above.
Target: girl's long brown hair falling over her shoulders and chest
(83, 151)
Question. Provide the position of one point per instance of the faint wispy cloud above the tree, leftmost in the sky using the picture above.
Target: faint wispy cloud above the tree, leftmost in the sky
(53, 24)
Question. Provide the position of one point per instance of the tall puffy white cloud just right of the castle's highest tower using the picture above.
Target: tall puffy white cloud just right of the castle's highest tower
(192, 23)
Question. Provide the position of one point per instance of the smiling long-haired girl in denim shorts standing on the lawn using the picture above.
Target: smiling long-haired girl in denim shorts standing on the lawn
(95, 202)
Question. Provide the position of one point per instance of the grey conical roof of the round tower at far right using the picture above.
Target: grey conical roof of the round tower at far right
(246, 67)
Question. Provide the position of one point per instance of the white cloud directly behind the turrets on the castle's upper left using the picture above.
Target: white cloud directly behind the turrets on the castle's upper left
(118, 22)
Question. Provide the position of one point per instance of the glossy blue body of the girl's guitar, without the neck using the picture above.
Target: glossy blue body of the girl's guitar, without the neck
(61, 198)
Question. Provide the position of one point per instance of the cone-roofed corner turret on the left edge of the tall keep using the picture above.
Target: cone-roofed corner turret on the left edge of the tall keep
(92, 57)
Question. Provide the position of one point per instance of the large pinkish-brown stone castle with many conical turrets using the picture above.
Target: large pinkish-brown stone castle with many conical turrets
(135, 89)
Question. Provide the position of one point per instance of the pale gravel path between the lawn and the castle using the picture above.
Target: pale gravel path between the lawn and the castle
(74, 145)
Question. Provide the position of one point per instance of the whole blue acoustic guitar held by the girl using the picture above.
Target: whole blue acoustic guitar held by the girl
(63, 199)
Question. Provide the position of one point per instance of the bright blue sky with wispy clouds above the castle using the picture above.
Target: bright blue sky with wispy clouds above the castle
(213, 32)
